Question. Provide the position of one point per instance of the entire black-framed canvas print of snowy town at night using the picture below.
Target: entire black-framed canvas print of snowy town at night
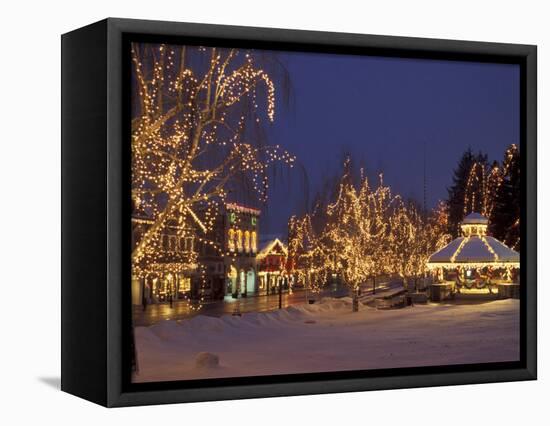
(251, 212)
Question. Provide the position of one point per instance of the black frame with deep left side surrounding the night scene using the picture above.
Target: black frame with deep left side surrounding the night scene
(96, 209)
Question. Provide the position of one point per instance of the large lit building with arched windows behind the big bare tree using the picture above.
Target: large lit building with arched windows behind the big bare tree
(200, 264)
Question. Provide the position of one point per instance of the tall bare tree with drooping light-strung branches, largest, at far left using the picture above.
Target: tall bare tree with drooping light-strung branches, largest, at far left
(191, 109)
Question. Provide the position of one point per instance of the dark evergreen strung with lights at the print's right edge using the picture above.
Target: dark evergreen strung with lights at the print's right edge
(504, 223)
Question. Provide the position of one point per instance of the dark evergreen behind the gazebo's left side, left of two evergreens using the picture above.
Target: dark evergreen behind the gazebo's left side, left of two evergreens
(457, 191)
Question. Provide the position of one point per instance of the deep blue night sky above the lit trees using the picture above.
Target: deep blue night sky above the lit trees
(383, 111)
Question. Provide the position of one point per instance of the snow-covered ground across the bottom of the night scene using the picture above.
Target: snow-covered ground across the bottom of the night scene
(327, 336)
